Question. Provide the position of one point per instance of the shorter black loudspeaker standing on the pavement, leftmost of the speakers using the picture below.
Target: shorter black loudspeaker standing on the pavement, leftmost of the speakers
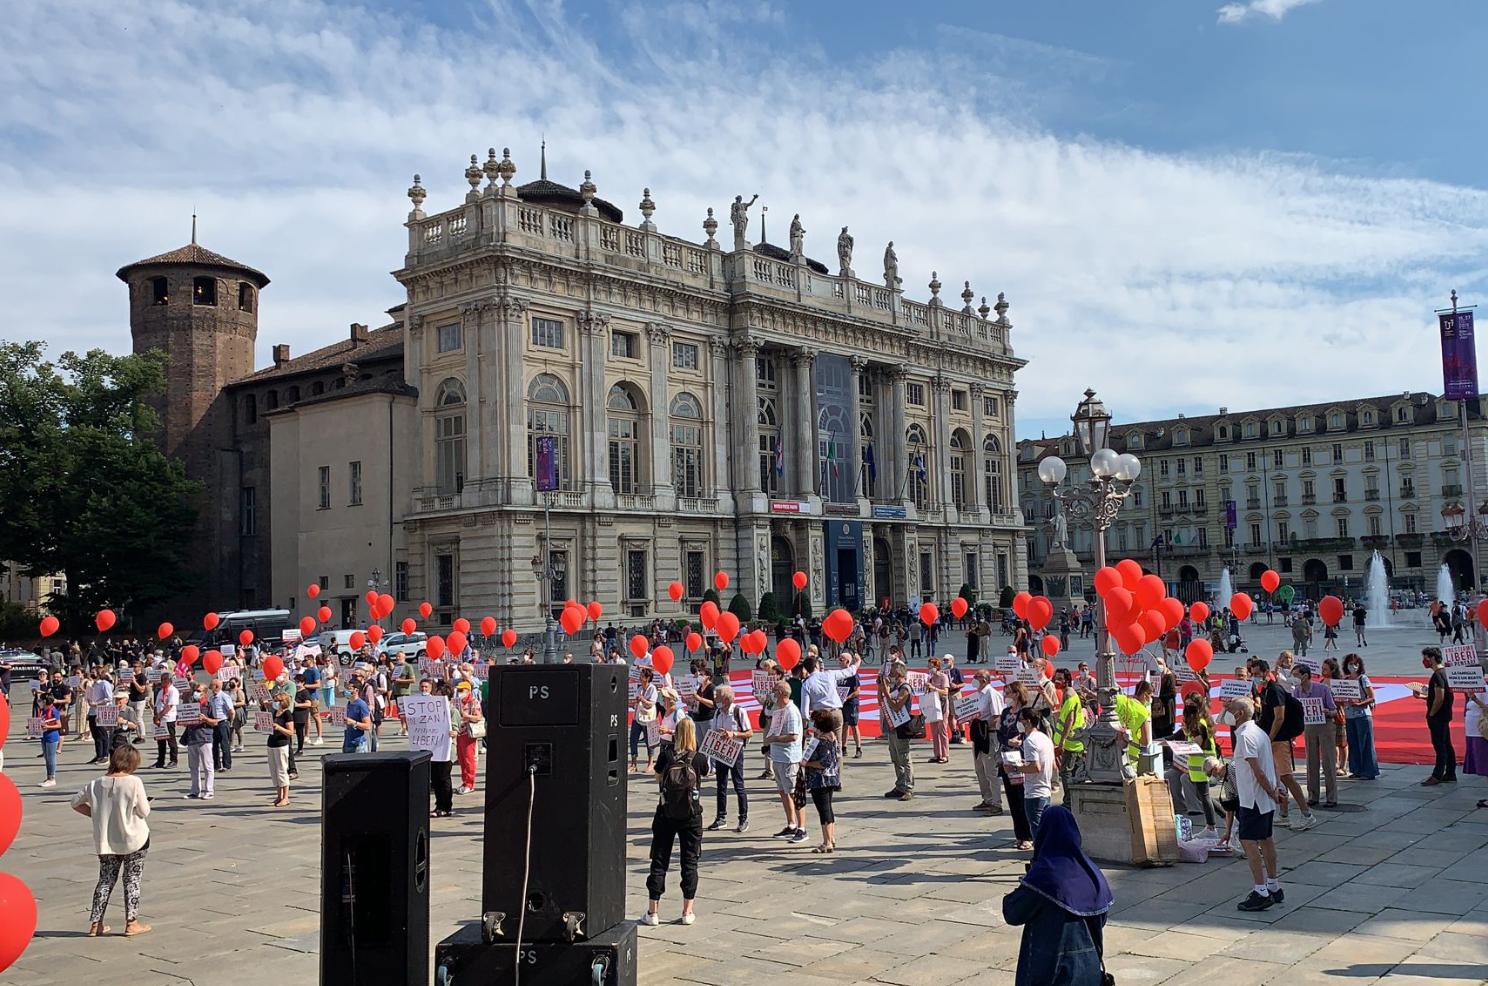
(374, 871)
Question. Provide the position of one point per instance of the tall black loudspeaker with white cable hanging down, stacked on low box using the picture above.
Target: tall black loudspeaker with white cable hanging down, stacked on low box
(556, 743)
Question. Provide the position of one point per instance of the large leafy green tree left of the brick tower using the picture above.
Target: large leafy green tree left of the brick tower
(84, 490)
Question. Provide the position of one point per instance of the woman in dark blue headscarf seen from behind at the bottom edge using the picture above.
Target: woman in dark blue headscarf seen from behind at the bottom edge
(1062, 905)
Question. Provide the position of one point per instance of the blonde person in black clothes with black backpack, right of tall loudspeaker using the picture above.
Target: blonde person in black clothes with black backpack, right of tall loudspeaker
(679, 814)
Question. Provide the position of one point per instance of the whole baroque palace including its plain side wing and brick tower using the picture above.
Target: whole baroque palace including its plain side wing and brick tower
(615, 408)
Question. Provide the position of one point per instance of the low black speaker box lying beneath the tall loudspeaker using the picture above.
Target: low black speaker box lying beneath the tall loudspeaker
(606, 960)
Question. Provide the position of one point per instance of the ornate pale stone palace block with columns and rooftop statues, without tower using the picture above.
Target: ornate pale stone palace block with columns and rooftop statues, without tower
(711, 407)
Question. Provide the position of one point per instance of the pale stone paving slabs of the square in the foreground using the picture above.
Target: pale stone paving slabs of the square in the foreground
(1396, 893)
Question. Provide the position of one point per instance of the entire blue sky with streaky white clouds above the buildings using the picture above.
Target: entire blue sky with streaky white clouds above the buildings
(1188, 203)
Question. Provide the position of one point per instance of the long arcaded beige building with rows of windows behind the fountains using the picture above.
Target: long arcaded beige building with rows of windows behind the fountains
(1312, 492)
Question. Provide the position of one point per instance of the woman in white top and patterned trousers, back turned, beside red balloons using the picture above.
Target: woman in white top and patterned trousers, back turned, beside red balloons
(118, 808)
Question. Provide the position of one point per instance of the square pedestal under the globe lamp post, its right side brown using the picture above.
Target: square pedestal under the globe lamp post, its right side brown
(1127, 823)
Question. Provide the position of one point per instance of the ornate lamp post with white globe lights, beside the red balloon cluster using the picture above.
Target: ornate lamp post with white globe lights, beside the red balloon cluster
(1097, 502)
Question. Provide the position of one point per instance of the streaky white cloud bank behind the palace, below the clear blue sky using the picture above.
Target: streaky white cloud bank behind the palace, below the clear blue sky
(1169, 282)
